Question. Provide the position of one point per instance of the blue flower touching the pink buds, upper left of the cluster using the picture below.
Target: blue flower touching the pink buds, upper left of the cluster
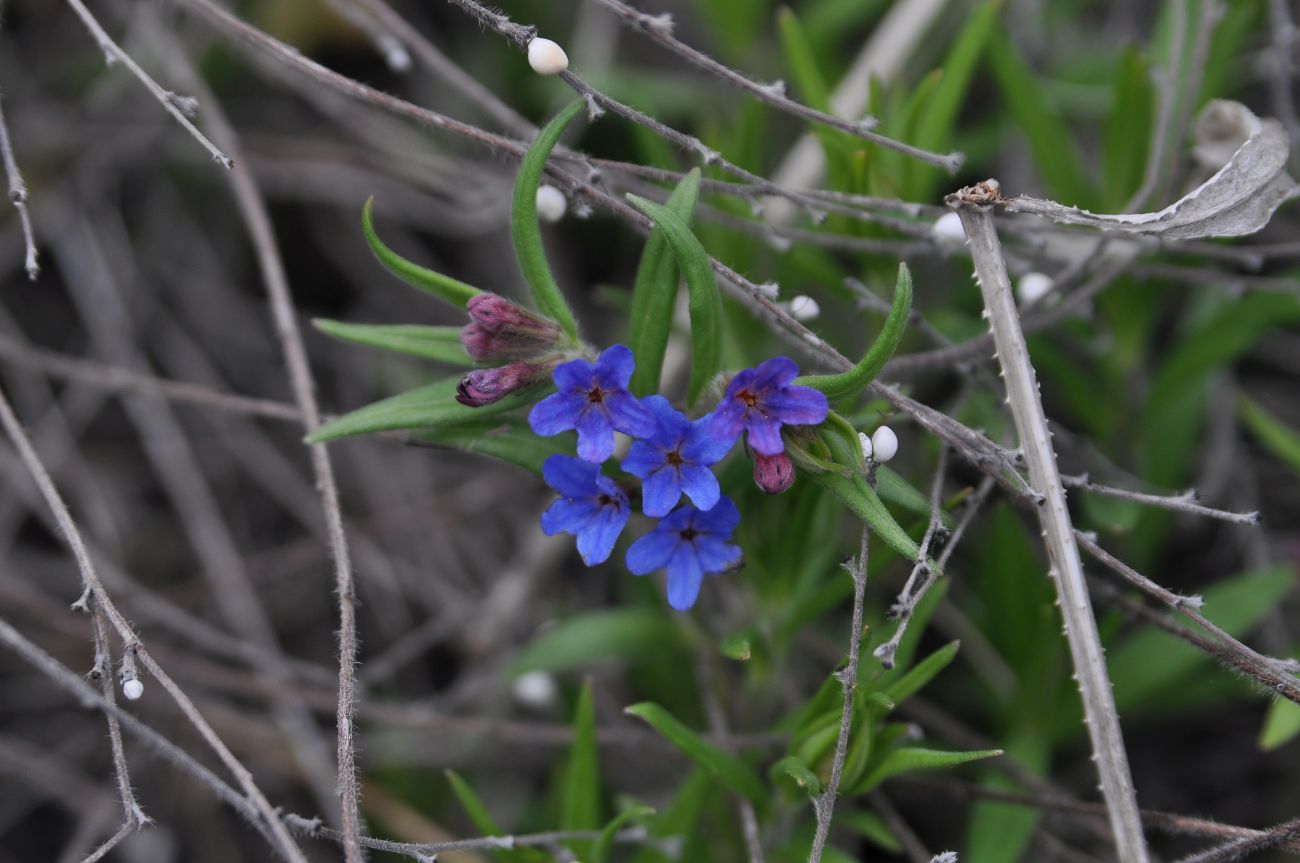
(595, 400)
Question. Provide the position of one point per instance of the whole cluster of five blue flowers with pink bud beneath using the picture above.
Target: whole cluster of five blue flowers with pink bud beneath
(673, 457)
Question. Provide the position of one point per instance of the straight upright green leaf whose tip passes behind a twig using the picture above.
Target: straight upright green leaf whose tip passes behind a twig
(656, 293)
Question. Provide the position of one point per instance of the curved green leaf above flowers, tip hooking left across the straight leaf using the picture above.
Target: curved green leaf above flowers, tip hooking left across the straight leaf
(707, 303)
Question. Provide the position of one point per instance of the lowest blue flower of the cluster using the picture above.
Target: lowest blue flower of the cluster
(690, 544)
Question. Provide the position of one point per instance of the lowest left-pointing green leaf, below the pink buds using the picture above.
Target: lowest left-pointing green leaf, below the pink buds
(424, 407)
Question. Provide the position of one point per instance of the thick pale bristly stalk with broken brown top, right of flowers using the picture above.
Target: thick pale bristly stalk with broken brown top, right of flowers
(1032, 426)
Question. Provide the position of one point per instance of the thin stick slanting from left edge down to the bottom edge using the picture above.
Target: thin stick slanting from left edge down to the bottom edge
(94, 592)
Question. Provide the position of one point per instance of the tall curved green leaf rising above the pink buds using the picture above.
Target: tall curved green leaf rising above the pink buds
(527, 235)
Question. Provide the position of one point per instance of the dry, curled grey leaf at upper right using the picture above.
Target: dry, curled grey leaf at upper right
(1238, 200)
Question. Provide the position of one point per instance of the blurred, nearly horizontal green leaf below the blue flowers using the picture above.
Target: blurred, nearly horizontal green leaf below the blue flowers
(632, 635)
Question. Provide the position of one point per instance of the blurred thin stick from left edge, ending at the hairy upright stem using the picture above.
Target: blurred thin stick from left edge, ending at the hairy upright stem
(120, 380)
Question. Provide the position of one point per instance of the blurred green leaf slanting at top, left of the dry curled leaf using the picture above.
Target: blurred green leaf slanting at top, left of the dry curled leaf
(1051, 141)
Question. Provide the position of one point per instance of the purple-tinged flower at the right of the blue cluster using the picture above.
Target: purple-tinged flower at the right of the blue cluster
(764, 400)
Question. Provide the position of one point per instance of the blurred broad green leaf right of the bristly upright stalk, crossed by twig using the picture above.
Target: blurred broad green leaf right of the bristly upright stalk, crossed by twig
(1149, 667)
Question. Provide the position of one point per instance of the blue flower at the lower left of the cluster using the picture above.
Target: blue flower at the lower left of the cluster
(592, 508)
